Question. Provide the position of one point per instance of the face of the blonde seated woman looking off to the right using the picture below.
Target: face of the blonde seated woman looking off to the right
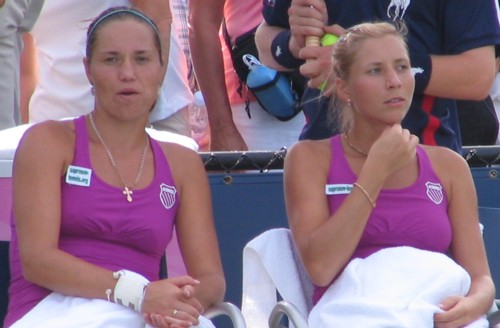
(380, 85)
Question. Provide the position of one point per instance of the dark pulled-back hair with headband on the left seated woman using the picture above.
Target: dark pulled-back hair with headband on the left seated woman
(120, 13)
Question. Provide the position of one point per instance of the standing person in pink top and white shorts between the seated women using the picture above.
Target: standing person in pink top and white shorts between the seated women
(231, 128)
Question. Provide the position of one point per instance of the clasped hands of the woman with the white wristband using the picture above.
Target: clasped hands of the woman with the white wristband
(170, 303)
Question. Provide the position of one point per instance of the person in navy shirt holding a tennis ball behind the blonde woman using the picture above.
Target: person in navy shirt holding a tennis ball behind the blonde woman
(451, 48)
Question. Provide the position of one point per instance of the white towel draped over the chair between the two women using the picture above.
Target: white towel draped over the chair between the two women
(269, 265)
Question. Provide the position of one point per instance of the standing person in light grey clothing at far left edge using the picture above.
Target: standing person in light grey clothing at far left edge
(16, 18)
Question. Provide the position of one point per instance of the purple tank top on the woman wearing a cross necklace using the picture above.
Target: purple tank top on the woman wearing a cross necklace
(98, 225)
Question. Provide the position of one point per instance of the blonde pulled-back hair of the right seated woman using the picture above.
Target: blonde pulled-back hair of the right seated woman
(345, 51)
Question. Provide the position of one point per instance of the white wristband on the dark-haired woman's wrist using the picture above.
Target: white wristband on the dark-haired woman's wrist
(130, 289)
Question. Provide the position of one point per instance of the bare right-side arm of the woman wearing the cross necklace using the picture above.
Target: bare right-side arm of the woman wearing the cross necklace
(195, 226)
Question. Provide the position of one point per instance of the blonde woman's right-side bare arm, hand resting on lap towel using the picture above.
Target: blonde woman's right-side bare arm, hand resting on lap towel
(467, 246)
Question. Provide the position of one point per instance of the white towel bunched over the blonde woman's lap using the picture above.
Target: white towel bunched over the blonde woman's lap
(395, 287)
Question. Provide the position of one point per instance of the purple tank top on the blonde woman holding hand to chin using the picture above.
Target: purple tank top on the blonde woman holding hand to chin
(414, 216)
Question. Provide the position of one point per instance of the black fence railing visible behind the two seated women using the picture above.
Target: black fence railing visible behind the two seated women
(264, 161)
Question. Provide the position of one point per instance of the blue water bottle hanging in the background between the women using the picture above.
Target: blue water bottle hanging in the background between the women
(272, 89)
